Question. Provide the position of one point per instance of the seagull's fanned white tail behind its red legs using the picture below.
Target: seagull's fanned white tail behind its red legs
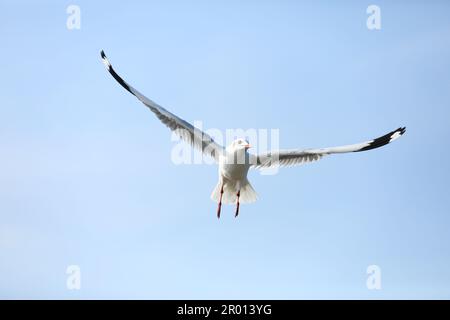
(230, 189)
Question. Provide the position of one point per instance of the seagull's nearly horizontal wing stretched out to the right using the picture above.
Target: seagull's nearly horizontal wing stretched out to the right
(287, 158)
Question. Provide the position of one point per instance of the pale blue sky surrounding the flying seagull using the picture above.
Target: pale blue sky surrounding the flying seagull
(86, 176)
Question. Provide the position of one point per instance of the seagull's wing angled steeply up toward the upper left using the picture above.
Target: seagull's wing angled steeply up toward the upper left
(187, 132)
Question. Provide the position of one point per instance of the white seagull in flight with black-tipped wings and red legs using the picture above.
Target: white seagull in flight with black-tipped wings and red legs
(234, 161)
